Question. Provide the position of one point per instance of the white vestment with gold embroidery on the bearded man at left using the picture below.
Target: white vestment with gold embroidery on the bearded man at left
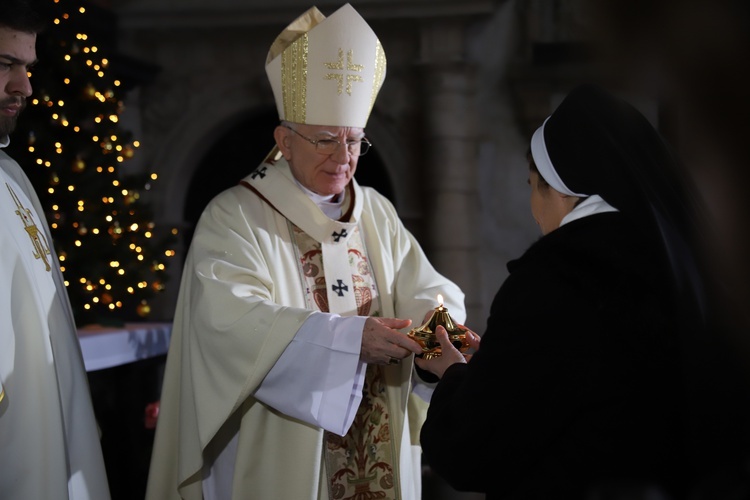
(49, 444)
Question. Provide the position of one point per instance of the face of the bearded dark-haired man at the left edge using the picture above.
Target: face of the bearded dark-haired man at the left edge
(17, 54)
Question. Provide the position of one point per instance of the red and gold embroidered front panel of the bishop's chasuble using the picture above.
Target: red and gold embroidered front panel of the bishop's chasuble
(361, 464)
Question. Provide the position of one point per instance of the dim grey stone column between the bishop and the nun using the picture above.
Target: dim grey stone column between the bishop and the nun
(451, 147)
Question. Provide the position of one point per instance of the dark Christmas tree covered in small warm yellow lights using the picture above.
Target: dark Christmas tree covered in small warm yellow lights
(70, 143)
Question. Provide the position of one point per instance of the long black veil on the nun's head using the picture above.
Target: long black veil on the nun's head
(601, 144)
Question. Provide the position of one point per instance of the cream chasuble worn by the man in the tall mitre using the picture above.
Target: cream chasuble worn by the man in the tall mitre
(245, 296)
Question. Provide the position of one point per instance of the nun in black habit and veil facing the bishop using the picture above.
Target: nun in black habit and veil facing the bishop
(578, 386)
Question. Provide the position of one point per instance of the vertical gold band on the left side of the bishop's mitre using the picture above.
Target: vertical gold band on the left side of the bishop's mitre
(294, 80)
